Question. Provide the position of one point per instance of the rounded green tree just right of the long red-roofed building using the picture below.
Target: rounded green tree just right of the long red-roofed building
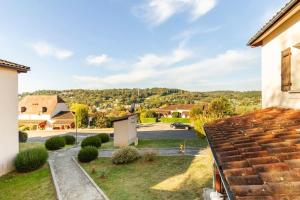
(221, 107)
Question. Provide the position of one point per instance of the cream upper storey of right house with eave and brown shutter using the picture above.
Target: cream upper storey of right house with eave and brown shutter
(280, 42)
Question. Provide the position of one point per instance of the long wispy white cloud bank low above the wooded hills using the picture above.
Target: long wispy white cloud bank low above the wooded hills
(166, 71)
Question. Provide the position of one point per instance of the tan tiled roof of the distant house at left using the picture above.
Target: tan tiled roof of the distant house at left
(34, 104)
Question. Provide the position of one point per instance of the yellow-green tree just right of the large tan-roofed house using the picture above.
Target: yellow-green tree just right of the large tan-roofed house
(82, 114)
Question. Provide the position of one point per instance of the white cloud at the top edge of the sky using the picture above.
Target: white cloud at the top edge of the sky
(156, 12)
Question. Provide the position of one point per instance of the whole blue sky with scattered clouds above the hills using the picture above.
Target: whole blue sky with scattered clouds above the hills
(197, 45)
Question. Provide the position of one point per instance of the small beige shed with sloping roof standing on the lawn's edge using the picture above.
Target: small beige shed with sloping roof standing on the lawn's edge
(125, 132)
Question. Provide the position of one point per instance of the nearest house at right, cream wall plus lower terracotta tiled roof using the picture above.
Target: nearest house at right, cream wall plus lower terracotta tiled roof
(257, 155)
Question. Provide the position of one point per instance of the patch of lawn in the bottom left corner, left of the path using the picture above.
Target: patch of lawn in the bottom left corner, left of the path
(28, 186)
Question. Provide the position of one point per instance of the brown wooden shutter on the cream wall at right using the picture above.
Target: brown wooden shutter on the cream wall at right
(286, 70)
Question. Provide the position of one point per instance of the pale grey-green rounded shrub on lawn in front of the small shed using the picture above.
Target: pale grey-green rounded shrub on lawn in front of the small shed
(125, 155)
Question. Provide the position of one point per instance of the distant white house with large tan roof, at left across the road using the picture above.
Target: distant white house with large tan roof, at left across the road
(45, 112)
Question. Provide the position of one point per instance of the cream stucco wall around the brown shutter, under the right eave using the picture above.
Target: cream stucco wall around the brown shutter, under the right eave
(286, 36)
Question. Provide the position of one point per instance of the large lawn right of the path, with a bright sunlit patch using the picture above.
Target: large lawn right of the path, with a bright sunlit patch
(176, 178)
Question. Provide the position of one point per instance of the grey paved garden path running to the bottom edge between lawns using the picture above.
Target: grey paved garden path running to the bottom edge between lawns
(71, 181)
